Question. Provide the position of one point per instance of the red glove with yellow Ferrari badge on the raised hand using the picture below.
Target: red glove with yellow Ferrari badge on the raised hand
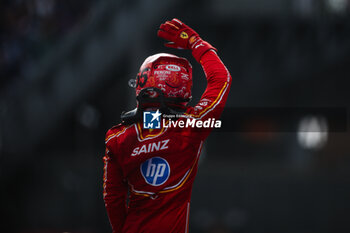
(182, 36)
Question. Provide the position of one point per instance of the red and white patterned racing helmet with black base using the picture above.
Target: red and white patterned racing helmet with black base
(164, 81)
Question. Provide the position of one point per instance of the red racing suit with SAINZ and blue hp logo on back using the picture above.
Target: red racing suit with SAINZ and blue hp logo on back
(148, 174)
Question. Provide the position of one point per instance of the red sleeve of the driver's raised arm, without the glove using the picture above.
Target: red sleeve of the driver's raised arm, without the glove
(214, 97)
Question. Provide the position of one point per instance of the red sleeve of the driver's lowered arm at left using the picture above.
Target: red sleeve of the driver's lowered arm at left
(114, 192)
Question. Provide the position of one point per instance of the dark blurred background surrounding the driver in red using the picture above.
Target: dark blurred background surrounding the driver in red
(64, 69)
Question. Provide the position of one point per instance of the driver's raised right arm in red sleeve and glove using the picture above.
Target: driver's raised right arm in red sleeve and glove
(218, 77)
